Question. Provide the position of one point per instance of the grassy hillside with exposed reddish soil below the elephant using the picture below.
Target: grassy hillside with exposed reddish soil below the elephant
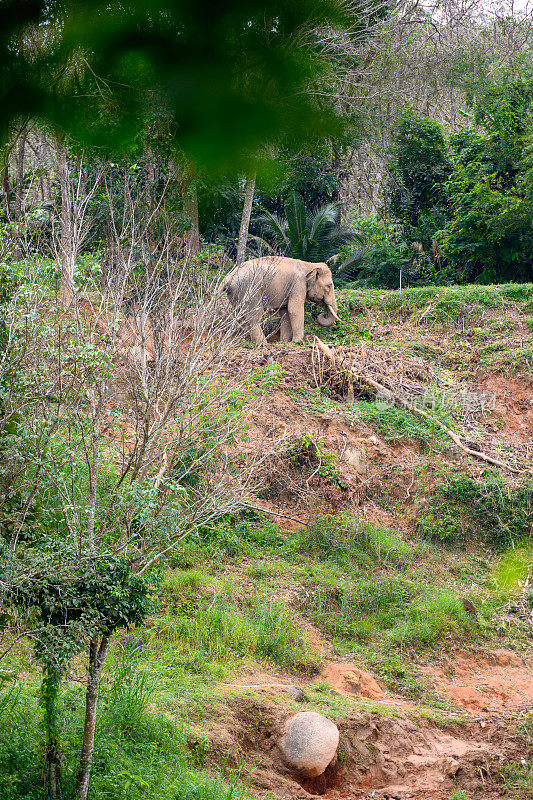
(381, 576)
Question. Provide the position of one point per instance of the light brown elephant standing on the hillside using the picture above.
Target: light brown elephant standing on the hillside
(281, 285)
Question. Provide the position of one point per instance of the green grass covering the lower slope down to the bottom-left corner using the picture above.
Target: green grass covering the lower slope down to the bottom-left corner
(380, 599)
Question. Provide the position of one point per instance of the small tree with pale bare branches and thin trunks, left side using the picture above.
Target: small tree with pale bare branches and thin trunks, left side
(122, 402)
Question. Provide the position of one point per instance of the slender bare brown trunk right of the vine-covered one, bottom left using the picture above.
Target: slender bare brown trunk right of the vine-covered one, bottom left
(97, 656)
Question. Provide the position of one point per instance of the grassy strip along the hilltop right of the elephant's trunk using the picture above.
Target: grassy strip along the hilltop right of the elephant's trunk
(476, 325)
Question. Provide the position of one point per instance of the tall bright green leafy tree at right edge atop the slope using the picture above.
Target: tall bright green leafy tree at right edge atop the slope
(490, 237)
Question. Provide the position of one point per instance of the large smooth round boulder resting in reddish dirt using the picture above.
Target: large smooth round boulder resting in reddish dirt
(309, 743)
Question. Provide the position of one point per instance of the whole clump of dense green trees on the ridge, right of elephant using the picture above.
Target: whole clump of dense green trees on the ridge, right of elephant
(464, 205)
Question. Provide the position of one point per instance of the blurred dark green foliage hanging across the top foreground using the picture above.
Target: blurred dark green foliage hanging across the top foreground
(222, 84)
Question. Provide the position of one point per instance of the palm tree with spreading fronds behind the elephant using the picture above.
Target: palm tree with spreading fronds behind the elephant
(310, 236)
